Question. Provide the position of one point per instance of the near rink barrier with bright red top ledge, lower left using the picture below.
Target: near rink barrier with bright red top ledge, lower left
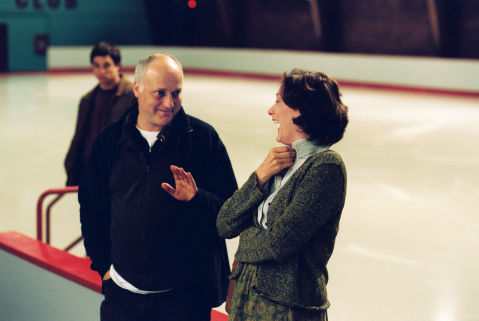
(40, 282)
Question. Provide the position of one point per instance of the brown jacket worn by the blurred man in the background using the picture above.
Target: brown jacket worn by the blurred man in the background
(125, 98)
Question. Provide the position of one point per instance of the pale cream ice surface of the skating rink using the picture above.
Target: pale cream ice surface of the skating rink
(408, 244)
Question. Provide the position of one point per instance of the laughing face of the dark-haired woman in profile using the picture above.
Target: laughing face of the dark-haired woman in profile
(283, 115)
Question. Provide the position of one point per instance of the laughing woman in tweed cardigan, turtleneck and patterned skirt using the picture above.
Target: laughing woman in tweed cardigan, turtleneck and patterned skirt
(287, 213)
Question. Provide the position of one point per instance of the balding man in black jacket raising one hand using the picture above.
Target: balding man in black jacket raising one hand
(152, 189)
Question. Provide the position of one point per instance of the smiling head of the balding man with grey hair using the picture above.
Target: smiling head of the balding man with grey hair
(159, 94)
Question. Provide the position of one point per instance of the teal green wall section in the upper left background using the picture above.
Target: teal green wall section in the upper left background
(69, 22)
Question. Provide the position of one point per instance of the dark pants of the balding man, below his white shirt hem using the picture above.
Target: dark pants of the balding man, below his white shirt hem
(123, 305)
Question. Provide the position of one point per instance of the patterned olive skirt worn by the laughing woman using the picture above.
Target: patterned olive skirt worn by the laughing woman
(247, 305)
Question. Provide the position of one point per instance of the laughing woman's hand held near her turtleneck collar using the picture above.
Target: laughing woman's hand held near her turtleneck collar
(277, 159)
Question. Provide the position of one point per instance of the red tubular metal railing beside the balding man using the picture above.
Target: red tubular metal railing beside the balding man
(59, 193)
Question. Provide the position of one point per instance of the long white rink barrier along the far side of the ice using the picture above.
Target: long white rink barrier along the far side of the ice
(422, 74)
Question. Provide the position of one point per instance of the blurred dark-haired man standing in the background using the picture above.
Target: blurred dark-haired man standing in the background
(106, 102)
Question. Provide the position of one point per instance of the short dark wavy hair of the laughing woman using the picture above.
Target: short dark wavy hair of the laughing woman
(316, 95)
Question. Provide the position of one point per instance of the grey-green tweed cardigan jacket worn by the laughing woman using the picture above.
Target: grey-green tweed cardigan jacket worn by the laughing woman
(303, 221)
